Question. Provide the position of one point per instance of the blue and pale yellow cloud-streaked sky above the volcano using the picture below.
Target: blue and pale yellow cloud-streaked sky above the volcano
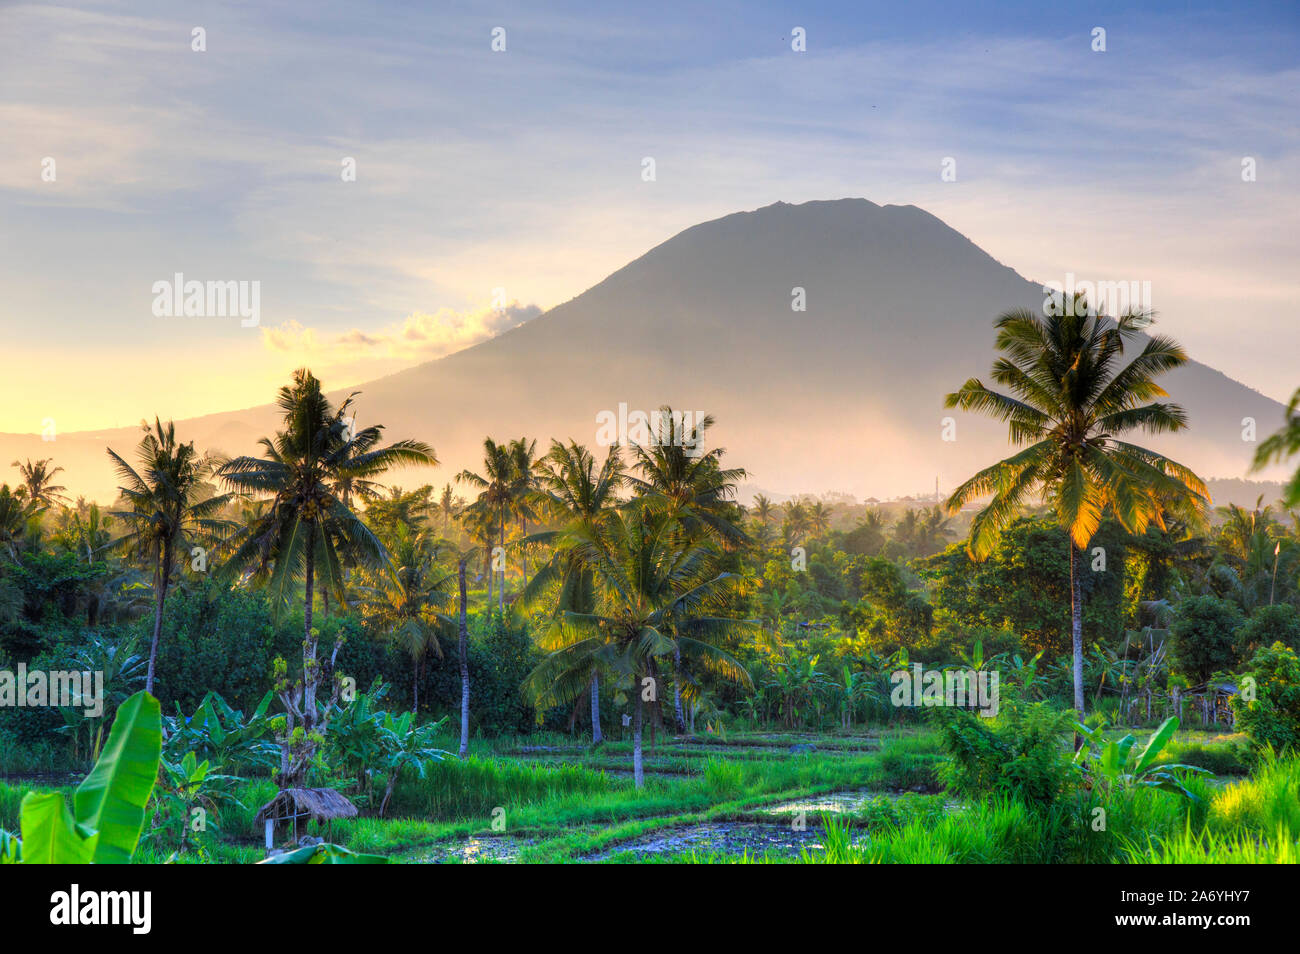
(495, 184)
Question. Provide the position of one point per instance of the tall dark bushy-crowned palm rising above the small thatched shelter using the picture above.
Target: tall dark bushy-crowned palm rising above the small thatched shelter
(307, 526)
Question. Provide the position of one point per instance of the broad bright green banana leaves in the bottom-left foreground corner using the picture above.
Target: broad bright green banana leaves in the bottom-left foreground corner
(110, 804)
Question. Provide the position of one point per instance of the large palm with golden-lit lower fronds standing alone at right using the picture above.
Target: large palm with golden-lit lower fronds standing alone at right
(1069, 402)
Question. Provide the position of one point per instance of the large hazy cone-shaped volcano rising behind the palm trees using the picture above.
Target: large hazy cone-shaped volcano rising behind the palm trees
(847, 394)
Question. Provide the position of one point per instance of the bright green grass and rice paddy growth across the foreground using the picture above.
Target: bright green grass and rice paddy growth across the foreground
(569, 808)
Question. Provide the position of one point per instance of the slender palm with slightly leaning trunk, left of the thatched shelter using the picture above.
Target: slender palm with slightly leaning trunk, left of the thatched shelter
(171, 500)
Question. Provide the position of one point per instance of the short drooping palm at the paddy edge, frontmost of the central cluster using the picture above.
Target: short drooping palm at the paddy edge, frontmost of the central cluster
(653, 593)
